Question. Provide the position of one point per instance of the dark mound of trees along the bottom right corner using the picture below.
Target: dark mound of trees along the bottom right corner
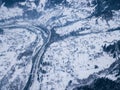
(101, 84)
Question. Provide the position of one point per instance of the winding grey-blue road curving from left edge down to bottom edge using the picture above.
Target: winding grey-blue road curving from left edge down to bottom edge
(38, 51)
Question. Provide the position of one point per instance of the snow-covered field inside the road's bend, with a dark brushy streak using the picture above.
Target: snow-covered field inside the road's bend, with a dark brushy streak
(16, 48)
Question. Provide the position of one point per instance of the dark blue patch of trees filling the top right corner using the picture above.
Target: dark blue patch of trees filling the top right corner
(104, 8)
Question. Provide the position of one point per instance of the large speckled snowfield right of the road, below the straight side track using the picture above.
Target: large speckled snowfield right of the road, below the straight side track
(76, 58)
